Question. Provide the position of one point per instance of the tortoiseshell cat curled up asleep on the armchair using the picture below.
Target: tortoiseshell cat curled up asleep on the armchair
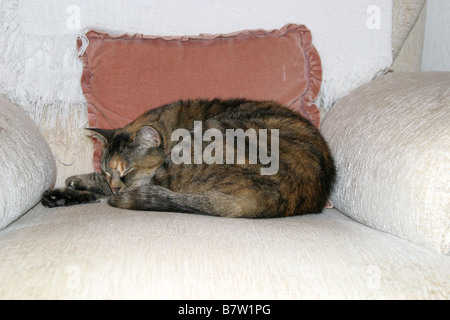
(146, 166)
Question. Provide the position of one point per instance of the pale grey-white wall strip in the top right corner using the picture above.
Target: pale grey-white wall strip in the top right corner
(436, 52)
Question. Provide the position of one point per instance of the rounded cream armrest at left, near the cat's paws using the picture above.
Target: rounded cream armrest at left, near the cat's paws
(28, 166)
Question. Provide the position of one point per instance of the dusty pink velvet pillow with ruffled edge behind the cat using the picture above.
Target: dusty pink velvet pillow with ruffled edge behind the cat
(127, 75)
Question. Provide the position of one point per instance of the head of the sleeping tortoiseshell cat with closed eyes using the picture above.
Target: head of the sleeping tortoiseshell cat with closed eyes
(129, 157)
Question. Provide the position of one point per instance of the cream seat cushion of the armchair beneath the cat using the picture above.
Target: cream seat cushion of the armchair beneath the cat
(100, 252)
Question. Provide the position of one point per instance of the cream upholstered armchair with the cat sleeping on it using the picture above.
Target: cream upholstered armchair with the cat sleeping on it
(386, 238)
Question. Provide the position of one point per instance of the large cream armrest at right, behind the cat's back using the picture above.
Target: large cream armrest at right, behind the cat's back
(391, 143)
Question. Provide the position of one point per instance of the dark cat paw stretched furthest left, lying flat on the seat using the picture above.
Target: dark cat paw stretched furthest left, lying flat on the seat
(66, 197)
